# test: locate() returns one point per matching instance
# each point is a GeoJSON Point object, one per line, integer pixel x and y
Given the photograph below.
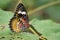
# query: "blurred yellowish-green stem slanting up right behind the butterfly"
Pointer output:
{"type": "Point", "coordinates": [43, 7]}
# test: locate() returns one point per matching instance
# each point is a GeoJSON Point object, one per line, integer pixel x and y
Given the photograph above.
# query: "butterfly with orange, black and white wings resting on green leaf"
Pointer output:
{"type": "Point", "coordinates": [20, 22]}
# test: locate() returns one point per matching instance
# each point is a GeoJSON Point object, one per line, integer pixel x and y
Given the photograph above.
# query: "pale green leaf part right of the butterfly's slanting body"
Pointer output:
{"type": "Point", "coordinates": [48, 28]}
